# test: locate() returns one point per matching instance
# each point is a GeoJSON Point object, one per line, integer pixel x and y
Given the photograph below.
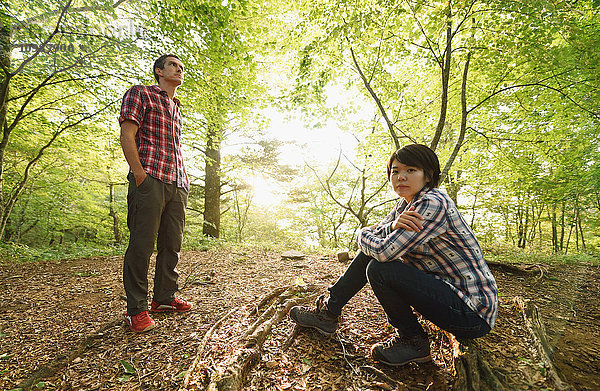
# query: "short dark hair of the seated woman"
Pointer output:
{"type": "Point", "coordinates": [420, 156]}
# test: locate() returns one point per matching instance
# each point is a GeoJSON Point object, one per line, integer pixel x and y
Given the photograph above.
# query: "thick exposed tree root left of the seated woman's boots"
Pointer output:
{"type": "Point", "coordinates": [249, 352]}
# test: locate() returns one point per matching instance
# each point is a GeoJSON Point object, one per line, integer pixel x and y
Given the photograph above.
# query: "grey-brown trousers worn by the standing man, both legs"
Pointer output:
{"type": "Point", "coordinates": [155, 210]}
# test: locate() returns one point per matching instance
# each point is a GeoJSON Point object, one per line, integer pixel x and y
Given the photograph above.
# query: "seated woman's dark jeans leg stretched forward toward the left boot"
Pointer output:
{"type": "Point", "coordinates": [348, 285]}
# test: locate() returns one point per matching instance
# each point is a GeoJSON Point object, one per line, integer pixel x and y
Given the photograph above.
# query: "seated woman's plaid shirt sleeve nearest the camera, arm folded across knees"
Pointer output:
{"type": "Point", "coordinates": [390, 245]}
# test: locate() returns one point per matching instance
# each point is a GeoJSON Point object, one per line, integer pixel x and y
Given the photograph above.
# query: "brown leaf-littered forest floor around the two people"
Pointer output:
{"type": "Point", "coordinates": [61, 327]}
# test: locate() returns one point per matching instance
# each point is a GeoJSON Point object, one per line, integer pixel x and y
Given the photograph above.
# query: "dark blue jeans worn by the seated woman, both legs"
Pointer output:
{"type": "Point", "coordinates": [398, 287]}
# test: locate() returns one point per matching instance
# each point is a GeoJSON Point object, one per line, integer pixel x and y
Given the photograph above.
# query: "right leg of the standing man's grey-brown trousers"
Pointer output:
{"type": "Point", "coordinates": [170, 237]}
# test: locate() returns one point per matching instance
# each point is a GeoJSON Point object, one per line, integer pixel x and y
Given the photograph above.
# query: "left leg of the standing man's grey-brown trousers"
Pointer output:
{"type": "Point", "coordinates": [144, 204]}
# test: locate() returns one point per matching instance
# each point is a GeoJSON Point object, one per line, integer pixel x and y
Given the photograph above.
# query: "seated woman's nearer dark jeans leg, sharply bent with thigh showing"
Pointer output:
{"type": "Point", "coordinates": [400, 286]}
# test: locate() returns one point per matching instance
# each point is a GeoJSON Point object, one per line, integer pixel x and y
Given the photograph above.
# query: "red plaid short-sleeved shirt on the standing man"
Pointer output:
{"type": "Point", "coordinates": [158, 138]}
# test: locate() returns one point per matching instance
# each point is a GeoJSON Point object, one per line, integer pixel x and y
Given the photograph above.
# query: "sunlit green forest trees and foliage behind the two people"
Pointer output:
{"type": "Point", "coordinates": [292, 109]}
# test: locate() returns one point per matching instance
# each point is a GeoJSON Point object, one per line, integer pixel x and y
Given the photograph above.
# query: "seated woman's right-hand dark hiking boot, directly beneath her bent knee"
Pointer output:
{"type": "Point", "coordinates": [402, 350]}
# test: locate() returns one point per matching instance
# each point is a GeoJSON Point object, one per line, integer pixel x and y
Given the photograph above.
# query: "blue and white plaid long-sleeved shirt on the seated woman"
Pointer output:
{"type": "Point", "coordinates": [446, 247]}
